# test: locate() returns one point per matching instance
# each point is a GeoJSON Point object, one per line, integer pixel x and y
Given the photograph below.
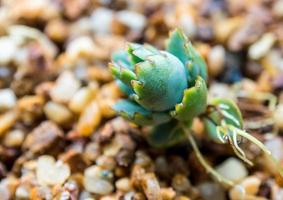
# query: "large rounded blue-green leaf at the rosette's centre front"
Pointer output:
{"type": "Point", "coordinates": [161, 82]}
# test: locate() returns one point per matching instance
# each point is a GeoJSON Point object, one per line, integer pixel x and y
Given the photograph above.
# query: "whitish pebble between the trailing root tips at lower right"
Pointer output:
{"type": "Point", "coordinates": [232, 169]}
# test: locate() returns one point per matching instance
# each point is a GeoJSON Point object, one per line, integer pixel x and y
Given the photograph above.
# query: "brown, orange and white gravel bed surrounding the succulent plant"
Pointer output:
{"type": "Point", "coordinates": [56, 94]}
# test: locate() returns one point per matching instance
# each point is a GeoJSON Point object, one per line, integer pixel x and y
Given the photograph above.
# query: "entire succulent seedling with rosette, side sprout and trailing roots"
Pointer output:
{"type": "Point", "coordinates": [167, 90]}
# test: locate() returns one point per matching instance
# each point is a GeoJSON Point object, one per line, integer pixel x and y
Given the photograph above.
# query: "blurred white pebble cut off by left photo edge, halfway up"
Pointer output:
{"type": "Point", "coordinates": [7, 99]}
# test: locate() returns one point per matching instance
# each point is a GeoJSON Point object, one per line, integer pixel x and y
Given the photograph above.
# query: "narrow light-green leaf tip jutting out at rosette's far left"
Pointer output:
{"type": "Point", "coordinates": [122, 73]}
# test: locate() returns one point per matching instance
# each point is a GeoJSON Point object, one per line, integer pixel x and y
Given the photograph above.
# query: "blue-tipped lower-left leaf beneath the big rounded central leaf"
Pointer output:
{"type": "Point", "coordinates": [137, 114]}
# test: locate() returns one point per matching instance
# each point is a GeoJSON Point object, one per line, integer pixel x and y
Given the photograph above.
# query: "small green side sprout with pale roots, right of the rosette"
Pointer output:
{"type": "Point", "coordinates": [224, 124]}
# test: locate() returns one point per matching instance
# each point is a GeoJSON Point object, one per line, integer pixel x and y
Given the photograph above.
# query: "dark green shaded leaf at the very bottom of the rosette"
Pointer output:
{"type": "Point", "coordinates": [166, 135]}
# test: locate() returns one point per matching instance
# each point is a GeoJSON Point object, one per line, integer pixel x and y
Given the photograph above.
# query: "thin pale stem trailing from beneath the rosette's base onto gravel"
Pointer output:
{"type": "Point", "coordinates": [203, 162]}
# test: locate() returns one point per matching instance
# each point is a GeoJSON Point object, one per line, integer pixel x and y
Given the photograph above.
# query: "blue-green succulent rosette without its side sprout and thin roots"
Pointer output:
{"type": "Point", "coordinates": [163, 88]}
